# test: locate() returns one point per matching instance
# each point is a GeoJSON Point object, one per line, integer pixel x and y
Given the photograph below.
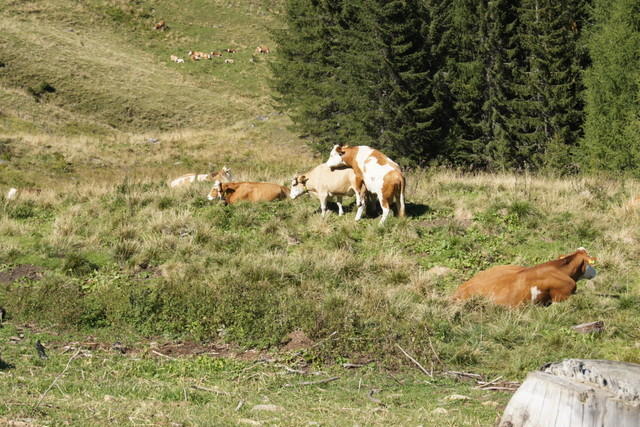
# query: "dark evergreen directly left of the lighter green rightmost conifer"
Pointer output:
{"type": "Point", "coordinates": [548, 97]}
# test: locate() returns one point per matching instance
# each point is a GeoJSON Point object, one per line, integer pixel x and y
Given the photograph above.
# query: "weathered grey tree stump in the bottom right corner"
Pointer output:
{"type": "Point", "coordinates": [577, 393]}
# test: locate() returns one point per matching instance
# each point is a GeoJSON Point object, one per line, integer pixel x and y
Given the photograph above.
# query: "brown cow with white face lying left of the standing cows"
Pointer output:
{"type": "Point", "coordinates": [234, 192]}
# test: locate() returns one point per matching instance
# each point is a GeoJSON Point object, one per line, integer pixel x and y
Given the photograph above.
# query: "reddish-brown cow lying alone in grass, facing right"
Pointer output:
{"type": "Point", "coordinates": [512, 285]}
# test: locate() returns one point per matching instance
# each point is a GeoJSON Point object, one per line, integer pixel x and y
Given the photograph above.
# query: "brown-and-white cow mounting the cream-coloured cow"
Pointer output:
{"type": "Point", "coordinates": [380, 175]}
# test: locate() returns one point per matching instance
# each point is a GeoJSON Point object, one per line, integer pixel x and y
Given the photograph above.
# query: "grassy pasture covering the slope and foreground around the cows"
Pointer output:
{"type": "Point", "coordinates": [97, 244]}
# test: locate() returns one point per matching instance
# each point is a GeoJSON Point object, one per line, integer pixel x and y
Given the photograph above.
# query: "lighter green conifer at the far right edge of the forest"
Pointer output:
{"type": "Point", "coordinates": [613, 87]}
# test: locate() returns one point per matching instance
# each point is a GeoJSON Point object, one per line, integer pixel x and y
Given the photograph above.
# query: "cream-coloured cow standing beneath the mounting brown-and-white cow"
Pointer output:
{"type": "Point", "coordinates": [324, 183]}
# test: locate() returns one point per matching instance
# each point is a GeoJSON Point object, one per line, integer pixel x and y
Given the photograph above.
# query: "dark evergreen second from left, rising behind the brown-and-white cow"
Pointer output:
{"type": "Point", "coordinates": [402, 78]}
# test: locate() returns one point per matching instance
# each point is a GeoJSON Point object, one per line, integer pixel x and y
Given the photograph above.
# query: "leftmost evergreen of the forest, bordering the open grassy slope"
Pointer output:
{"type": "Point", "coordinates": [306, 74]}
